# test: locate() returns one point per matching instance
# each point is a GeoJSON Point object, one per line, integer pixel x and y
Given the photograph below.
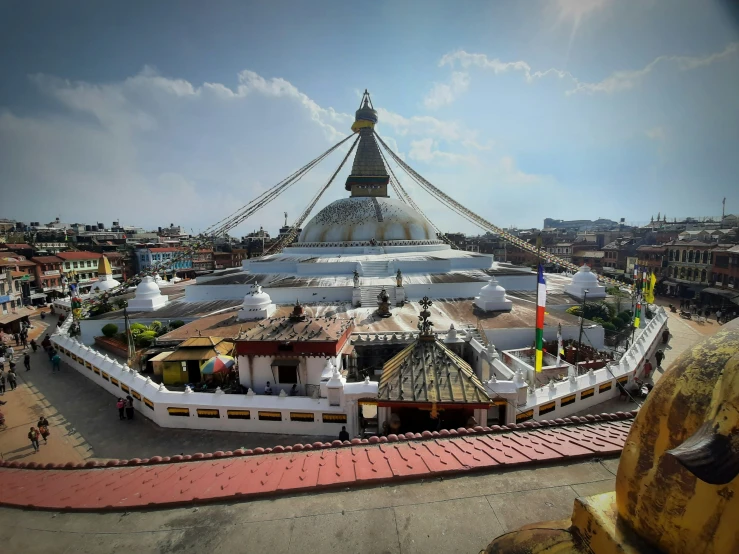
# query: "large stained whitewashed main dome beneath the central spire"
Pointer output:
{"type": "Point", "coordinates": [367, 218]}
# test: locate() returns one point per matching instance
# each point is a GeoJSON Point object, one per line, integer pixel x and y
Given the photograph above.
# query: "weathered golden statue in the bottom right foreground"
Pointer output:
{"type": "Point", "coordinates": [677, 487]}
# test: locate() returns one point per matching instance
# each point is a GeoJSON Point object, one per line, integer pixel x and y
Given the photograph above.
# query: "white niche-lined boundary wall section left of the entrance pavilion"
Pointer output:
{"type": "Point", "coordinates": [214, 411]}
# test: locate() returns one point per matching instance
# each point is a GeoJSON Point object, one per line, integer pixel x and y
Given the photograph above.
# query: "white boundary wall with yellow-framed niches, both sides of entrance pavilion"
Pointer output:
{"type": "Point", "coordinates": [227, 412]}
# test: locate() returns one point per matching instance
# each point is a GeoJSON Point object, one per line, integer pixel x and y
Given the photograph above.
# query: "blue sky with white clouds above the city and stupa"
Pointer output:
{"type": "Point", "coordinates": [181, 112]}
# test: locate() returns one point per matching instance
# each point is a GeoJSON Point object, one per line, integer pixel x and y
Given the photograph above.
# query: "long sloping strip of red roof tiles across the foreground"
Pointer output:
{"type": "Point", "coordinates": [244, 474]}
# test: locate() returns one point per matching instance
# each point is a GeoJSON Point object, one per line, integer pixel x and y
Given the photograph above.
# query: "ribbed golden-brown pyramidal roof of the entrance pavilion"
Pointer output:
{"type": "Point", "coordinates": [427, 371]}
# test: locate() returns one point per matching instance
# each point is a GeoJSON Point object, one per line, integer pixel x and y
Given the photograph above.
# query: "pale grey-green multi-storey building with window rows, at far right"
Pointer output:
{"type": "Point", "coordinates": [688, 266]}
